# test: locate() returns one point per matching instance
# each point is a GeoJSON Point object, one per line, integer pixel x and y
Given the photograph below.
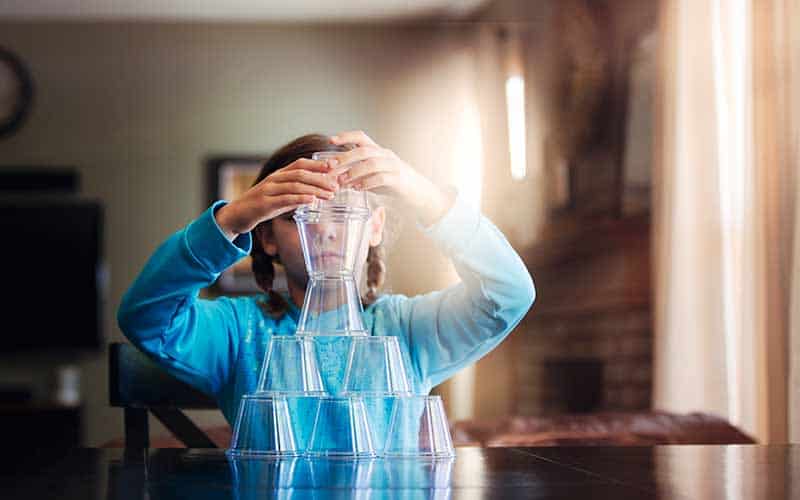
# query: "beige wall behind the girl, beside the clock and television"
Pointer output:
{"type": "Point", "coordinates": [137, 107]}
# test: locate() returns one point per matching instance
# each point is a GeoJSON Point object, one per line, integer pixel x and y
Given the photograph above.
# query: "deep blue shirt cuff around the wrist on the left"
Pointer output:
{"type": "Point", "coordinates": [209, 245]}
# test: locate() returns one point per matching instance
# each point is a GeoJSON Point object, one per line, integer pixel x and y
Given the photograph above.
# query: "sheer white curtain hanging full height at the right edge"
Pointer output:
{"type": "Point", "coordinates": [724, 202]}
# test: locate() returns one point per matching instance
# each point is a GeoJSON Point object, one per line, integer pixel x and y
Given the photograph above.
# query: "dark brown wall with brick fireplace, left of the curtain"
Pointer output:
{"type": "Point", "coordinates": [589, 250]}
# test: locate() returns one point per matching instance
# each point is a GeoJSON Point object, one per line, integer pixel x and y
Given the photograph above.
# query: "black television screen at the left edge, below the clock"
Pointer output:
{"type": "Point", "coordinates": [52, 274]}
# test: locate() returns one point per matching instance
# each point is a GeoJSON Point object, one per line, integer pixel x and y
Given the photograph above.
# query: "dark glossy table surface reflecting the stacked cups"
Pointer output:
{"type": "Point", "coordinates": [692, 472]}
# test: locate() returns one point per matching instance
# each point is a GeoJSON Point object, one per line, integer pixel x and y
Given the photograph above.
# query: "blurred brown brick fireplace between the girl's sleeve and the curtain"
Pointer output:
{"type": "Point", "coordinates": [587, 343]}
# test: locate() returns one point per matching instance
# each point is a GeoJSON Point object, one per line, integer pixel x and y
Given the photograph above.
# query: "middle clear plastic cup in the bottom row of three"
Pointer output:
{"type": "Point", "coordinates": [341, 429]}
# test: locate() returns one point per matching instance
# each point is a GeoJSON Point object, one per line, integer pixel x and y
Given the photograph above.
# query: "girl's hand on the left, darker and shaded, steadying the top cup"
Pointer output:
{"type": "Point", "coordinates": [282, 191]}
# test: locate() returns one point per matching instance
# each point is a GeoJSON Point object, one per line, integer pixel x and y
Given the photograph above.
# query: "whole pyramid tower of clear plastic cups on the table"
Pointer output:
{"type": "Point", "coordinates": [312, 403]}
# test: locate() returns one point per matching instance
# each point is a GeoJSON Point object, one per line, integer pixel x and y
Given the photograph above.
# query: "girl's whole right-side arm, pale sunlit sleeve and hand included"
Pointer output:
{"type": "Point", "coordinates": [452, 328]}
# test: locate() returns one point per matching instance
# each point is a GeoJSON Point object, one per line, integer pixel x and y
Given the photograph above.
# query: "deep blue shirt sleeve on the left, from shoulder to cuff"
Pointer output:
{"type": "Point", "coordinates": [194, 339]}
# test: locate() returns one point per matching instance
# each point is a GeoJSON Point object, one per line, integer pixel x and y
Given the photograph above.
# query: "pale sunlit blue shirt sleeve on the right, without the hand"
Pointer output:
{"type": "Point", "coordinates": [448, 329]}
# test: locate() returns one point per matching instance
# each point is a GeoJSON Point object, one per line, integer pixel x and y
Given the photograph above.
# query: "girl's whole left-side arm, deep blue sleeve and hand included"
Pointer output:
{"type": "Point", "coordinates": [197, 340]}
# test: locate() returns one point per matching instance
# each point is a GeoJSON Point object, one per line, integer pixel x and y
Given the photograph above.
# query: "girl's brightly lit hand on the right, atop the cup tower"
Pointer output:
{"type": "Point", "coordinates": [373, 168]}
